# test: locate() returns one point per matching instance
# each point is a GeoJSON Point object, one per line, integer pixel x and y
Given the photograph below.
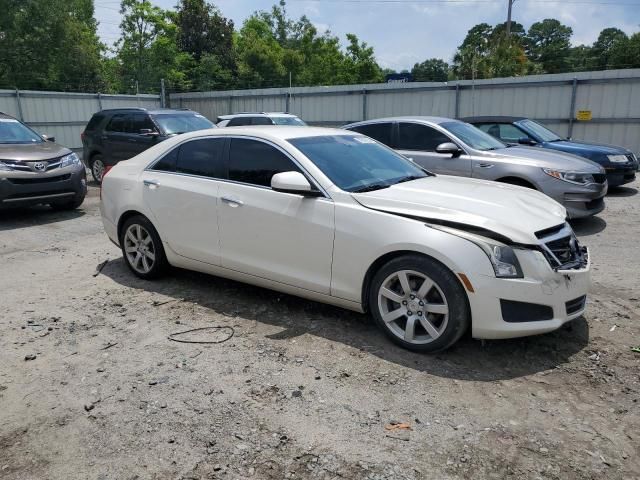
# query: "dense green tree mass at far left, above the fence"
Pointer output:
{"type": "Point", "coordinates": [38, 39]}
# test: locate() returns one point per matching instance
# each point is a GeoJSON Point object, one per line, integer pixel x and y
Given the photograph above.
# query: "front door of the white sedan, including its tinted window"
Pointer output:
{"type": "Point", "coordinates": [279, 236]}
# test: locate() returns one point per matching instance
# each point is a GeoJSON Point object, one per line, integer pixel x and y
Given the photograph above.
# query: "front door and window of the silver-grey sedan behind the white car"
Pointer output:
{"type": "Point", "coordinates": [419, 142]}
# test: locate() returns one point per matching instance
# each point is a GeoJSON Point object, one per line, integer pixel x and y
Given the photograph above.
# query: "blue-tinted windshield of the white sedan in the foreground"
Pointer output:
{"type": "Point", "coordinates": [356, 163]}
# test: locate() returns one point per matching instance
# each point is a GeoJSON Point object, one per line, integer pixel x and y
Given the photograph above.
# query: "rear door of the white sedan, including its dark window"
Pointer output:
{"type": "Point", "coordinates": [181, 190]}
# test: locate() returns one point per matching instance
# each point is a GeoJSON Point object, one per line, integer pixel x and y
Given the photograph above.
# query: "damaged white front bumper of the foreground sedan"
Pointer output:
{"type": "Point", "coordinates": [539, 303]}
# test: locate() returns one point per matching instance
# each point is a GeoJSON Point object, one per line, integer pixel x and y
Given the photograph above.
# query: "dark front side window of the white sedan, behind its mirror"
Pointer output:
{"type": "Point", "coordinates": [254, 162]}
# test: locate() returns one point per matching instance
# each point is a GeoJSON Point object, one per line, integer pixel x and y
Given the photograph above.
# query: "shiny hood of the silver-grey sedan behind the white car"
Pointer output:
{"type": "Point", "coordinates": [545, 158]}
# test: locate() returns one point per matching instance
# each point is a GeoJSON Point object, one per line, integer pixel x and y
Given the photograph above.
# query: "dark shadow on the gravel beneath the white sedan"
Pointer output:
{"type": "Point", "coordinates": [467, 360]}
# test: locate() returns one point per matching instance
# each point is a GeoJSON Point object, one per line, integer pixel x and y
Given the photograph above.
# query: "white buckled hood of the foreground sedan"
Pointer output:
{"type": "Point", "coordinates": [511, 211]}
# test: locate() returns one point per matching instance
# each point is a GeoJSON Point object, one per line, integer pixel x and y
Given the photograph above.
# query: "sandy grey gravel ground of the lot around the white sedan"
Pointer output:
{"type": "Point", "coordinates": [92, 388]}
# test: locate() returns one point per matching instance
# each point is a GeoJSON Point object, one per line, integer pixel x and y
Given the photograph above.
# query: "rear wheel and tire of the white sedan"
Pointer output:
{"type": "Point", "coordinates": [142, 248]}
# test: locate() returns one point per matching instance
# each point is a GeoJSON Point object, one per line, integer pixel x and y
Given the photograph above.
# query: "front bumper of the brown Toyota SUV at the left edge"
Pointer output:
{"type": "Point", "coordinates": [22, 190]}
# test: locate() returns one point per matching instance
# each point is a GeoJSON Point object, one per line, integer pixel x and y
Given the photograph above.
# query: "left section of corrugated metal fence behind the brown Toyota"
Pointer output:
{"type": "Point", "coordinates": [64, 115]}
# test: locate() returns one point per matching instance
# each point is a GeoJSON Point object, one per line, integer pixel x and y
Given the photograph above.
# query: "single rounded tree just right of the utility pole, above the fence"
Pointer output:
{"type": "Point", "coordinates": [549, 43]}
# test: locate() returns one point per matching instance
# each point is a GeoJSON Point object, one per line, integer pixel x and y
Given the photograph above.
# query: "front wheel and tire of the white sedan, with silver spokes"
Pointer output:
{"type": "Point", "coordinates": [419, 304]}
